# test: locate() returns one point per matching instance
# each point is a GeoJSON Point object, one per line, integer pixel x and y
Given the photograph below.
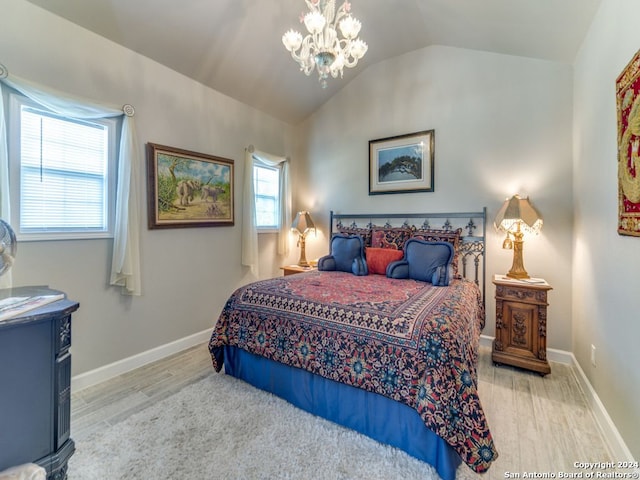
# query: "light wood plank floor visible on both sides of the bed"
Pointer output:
{"type": "Point", "coordinates": [539, 424]}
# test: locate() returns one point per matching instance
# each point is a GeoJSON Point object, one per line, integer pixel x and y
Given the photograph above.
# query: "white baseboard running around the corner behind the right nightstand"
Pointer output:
{"type": "Point", "coordinates": [619, 449]}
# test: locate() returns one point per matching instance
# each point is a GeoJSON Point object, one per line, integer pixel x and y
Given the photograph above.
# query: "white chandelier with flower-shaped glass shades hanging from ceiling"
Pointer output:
{"type": "Point", "coordinates": [323, 48]}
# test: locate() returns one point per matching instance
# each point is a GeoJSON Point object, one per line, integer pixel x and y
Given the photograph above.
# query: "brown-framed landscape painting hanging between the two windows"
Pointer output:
{"type": "Point", "coordinates": [188, 189]}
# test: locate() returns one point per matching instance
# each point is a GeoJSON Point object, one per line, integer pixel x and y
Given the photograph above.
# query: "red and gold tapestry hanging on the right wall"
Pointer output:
{"type": "Point", "coordinates": [628, 106]}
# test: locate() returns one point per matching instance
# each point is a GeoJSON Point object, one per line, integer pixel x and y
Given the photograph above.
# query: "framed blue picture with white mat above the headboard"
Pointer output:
{"type": "Point", "coordinates": [402, 164]}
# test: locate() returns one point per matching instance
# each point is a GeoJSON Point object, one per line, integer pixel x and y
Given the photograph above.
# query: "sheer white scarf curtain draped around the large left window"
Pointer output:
{"type": "Point", "coordinates": [125, 265]}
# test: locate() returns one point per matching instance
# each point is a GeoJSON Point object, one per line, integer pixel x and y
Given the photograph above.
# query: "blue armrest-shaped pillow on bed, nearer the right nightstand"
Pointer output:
{"type": "Point", "coordinates": [424, 261]}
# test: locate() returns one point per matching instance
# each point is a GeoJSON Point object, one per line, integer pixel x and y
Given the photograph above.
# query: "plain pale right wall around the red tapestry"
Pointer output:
{"type": "Point", "coordinates": [606, 266]}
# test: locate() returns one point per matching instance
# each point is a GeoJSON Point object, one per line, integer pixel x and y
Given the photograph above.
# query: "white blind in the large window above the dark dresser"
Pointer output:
{"type": "Point", "coordinates": [63, 174]}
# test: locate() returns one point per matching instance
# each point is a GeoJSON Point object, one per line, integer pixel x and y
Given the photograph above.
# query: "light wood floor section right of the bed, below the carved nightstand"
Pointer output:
{"type": "Point", "coordinates": [539, 424]}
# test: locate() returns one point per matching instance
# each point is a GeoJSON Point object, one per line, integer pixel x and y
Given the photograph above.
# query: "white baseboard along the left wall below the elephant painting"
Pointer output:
{"type": "Point", "coordinates": [125, 365]}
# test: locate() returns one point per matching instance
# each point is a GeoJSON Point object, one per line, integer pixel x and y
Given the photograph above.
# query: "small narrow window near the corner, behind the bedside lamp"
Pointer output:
{"type": "Point", "coordinates": [266, 186]}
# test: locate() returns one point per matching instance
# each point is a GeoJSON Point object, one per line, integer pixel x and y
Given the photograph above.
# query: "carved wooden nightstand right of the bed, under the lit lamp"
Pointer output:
{"type": "Point", "coordinates": [521, 324]}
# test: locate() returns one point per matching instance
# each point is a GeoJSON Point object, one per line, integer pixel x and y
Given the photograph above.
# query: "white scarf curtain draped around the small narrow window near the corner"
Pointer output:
{"type": "Point", "coordinates": [250, 256]}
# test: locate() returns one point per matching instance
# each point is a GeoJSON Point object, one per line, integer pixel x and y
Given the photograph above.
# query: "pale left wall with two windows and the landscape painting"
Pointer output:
{"type": "Point", "coordinates": [187, 273]}
